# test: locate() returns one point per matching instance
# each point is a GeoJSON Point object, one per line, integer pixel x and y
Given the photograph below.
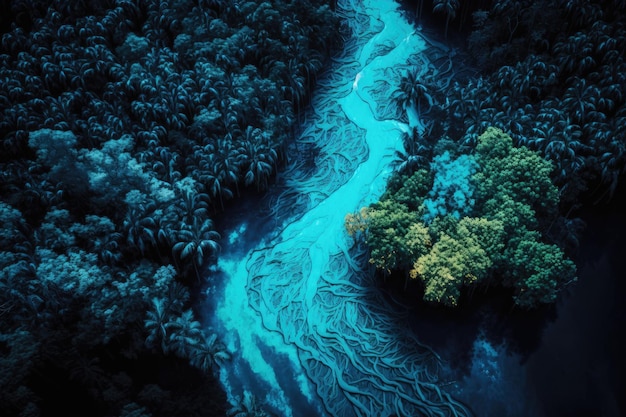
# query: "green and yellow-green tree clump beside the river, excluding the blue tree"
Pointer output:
{"type": "Point", "coordinates": [499, 242]}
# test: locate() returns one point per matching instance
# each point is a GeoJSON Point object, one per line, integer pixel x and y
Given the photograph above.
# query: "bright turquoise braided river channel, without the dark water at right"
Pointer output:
{"type": "Point", "coordinates": [309, 332]}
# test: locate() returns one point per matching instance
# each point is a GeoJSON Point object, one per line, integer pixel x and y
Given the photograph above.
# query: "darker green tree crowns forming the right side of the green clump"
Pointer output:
{"type": "Point", "coordinates": [514, 187]}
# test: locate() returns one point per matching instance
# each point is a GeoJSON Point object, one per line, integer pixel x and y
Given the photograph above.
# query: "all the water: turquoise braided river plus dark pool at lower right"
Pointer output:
{"type": "Point", "coordinates": [310, 330]}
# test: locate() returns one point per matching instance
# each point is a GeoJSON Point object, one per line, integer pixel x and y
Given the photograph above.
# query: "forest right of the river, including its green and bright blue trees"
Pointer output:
{"type": "Point", "coordinates": [487, 194]}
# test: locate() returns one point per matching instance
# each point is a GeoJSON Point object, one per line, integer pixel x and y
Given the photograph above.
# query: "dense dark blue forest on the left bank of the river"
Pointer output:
{"type": "Point", "coordinates": [126, 125]}
